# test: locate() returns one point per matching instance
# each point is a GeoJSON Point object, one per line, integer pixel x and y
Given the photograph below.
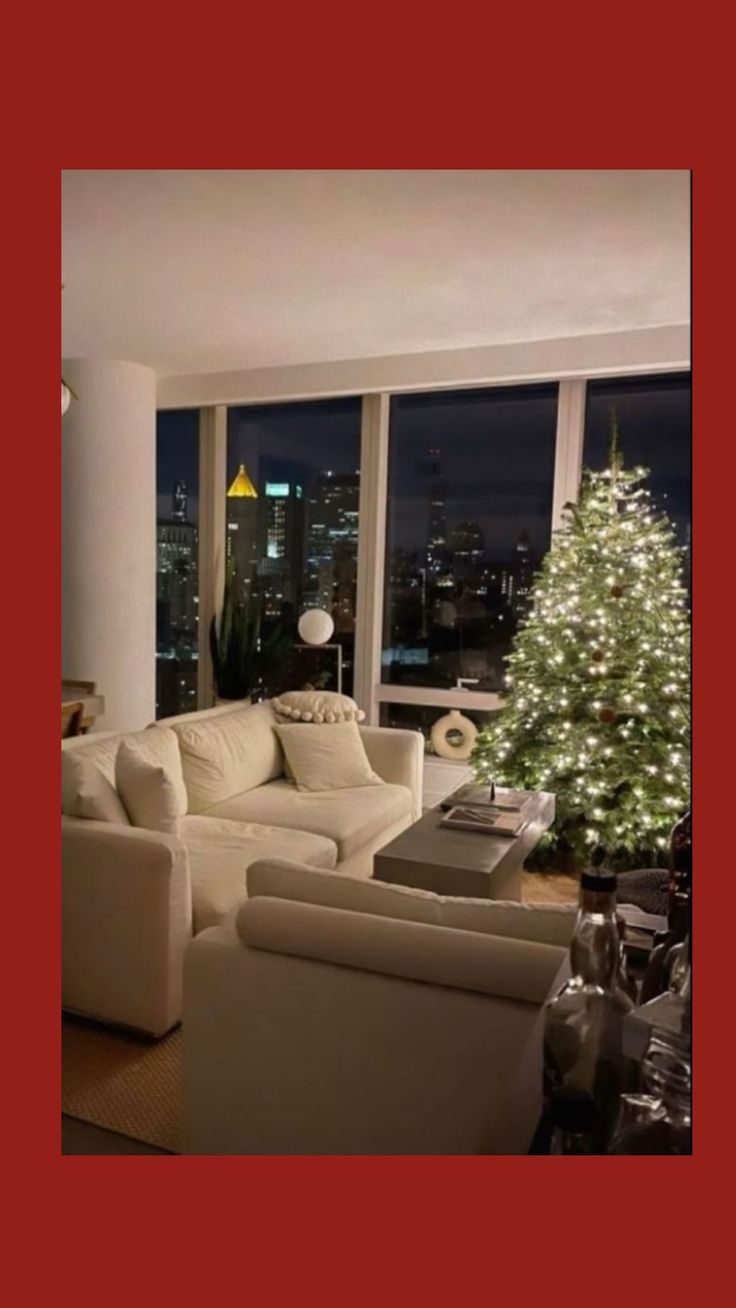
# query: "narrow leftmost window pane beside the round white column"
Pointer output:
{"type": "Point", "coordinates": [177, 572]}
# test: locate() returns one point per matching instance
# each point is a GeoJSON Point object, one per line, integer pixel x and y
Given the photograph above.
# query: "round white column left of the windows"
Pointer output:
{"type": "Point", "coordinates": [109, 537]}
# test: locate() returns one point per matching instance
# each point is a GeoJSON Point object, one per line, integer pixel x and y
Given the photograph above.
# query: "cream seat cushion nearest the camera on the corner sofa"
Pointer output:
{"type": "Point", "coordinates": [222, 851]}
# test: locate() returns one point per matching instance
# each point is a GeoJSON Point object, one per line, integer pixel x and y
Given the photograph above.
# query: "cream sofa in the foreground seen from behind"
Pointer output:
{"type": "Point", "coordinates": [330, 1016]}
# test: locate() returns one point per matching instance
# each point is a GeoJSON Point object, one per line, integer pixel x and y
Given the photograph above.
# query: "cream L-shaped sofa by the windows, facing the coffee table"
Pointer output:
{"type": "Point", "coordinates": [134, 898]}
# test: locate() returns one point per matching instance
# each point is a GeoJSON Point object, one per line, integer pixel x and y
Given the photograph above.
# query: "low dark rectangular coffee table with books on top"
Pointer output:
{"type": "Point", "coordinates": [465, 863]}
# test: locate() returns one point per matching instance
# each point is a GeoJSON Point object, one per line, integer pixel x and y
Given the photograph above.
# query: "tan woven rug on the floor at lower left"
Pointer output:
{"type": "Point", "coordinates": [124, 1082]}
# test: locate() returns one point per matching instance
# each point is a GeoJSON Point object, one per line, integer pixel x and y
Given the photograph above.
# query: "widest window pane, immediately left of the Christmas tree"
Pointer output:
{"type": "Point", "coordinates": [470, 511]}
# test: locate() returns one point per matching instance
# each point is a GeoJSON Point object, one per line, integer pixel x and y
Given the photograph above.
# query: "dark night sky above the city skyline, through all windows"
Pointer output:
{"type": "Point", "coordinates": [497, 452]}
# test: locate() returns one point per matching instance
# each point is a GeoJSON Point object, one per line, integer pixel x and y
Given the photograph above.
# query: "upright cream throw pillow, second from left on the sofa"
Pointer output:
{"type": "Point", "coordinates": [151, 791]}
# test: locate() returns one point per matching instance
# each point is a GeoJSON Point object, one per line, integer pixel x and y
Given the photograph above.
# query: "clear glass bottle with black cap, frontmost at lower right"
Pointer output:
{"type": "Point", "coordinates": [585, 1071]}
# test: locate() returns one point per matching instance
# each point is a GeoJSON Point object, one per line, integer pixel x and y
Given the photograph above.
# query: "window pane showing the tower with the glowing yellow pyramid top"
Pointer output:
{"type": "Point", "coordinates": [292, 528]}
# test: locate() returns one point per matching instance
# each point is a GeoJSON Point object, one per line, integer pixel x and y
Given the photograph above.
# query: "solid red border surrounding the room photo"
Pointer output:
{"type": "Point", "coordinates": [351, 1230]}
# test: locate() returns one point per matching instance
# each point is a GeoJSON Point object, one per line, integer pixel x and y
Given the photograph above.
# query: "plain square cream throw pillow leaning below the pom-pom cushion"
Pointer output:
{"type": "Point", "coordinates": [327, 761]}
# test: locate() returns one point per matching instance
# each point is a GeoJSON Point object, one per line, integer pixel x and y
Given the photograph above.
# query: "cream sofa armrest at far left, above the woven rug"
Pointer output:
{"type": "Point", "coordinates": [126, 921]}
